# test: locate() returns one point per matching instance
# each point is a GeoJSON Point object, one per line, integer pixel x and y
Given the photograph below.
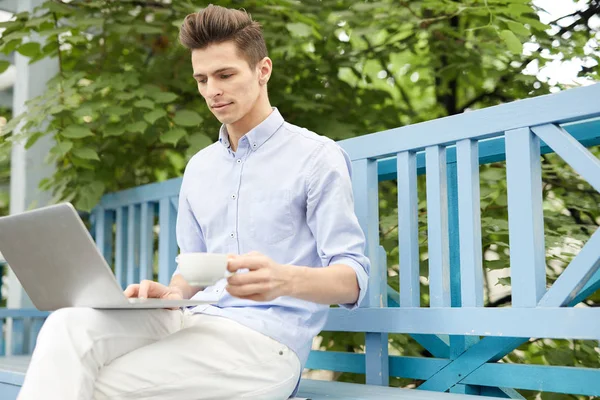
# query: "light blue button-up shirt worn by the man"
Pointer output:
{"type": "Point", "coordinates": [286, 192]}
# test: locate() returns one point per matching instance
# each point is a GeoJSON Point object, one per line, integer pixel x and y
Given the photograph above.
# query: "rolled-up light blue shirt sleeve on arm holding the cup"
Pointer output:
{"type": "Point", "coordinates": [331, 216]}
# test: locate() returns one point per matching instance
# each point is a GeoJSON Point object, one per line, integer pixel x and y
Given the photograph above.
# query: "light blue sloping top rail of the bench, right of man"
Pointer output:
{"type": "Point", "coordinates": [567, 106]}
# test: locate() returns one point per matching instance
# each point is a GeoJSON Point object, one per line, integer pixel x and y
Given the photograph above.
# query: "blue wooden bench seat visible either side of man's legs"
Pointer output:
{"type": "Point", "coordinates": [12, 372]}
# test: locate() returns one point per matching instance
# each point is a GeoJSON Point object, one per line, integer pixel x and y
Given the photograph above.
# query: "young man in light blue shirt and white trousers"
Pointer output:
{"type": "Point", "coordinates": [276, 196]}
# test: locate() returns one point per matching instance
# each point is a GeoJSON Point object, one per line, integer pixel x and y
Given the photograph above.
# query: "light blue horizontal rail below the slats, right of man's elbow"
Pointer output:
{"type": "Point", "coordinates": [576, 323]}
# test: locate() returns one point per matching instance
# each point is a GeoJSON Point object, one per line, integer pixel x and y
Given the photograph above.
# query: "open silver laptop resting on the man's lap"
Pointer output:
{"type": "Point", "coordinates": [58, 264]}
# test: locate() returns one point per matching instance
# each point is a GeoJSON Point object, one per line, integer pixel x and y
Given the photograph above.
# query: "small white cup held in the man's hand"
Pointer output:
{"type": "Point", "coordinates": [202, 269]}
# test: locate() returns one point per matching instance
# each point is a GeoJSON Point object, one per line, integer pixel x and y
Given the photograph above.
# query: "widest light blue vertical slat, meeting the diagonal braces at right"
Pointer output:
{"type": "Point", "coordinates": [525, 218]}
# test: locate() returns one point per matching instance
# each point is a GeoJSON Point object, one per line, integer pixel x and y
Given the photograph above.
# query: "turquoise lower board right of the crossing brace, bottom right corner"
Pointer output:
{"type": "Point", "coordinates": [582, 381]}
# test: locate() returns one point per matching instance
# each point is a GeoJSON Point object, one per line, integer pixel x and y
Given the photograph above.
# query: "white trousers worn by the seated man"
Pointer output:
{"type": "Point", "coordinates": [84, 354]}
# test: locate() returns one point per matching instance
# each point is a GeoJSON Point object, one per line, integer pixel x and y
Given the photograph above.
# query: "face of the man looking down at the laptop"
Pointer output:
{"type": "Point", "coordinates": [226, 81]}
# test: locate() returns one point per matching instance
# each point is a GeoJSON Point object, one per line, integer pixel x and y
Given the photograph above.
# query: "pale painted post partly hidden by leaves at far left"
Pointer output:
{"type": "Point", "coordinates": [27, 166]}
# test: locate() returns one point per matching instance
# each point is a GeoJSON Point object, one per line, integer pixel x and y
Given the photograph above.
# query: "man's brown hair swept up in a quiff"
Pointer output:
{"type": "Point", "coordinates": [215, 24]}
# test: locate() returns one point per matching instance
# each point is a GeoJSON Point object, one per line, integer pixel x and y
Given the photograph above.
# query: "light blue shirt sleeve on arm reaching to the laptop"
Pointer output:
{"type": "Point", "coordinates": [190, 238]}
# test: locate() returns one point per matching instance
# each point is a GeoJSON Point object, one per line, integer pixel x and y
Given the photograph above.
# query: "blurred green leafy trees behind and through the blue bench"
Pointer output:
{"type": "Point", "coordinates": [125, 110]}
